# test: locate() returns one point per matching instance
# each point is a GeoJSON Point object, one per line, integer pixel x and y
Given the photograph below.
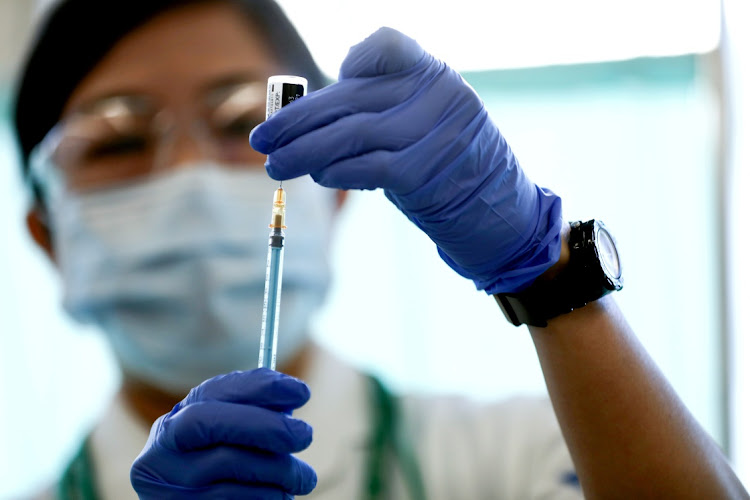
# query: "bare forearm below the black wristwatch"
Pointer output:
{"type": "Point", "coordinates": [628, 433]}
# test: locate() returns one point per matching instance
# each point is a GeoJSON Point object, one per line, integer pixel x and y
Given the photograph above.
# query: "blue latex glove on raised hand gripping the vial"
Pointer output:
{"type": "Point", "coordinates": [401, 120]}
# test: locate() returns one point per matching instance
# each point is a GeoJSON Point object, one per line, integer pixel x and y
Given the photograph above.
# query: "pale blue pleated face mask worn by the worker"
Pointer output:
{"type": "Point", "coordinates": [173, 269]}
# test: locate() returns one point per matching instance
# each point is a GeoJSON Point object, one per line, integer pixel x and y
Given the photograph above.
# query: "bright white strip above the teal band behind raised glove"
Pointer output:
{"type": "Point", "coordinates": [478, 34]}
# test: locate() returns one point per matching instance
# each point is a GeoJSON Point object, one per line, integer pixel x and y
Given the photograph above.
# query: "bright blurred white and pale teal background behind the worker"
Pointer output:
{"type": "Point", "coordinates": [636, 113]}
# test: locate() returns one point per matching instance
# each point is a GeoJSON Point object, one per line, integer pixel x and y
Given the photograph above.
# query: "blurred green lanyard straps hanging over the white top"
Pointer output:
{"type": "Point", "coordinates": [77, 482]}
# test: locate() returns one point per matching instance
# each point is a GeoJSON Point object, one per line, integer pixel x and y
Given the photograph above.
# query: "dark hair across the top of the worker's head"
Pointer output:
{"type": "Point", "coordinates": [65, 50]}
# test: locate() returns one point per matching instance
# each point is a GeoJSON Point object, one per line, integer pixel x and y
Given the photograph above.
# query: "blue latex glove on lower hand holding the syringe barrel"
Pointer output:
{"type": "Point", "coordinates": [231, 437]}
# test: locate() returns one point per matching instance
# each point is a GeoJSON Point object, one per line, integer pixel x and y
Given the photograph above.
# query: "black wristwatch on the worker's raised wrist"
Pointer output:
{"type": "Point", "coordinates": [592, 272]}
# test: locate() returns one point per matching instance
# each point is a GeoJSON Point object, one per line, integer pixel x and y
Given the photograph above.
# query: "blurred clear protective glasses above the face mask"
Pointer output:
{"type": "Point", "coordinates": [126, 138]}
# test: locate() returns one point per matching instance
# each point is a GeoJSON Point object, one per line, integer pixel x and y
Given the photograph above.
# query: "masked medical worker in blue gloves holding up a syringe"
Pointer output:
{"type": "Point", "coordinates": [133, 120]}
